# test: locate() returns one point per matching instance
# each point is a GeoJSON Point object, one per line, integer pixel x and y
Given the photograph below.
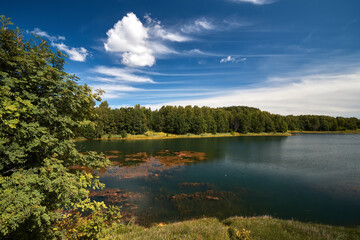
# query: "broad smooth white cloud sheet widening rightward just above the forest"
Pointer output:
{"type": "Point", "coordinates": [334, 95]}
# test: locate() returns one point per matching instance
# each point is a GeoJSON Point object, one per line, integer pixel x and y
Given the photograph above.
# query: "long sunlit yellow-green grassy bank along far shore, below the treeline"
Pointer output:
{"type": "Point", "coordinates": [162, 135]}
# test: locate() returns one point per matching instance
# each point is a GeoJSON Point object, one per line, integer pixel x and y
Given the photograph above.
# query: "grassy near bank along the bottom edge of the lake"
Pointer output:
{"type": "Point", "coordinates": [237, 228]}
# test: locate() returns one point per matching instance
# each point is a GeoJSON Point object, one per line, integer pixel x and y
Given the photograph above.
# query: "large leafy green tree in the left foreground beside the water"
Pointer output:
{"type": "Point", "coordinates": [41, 109]}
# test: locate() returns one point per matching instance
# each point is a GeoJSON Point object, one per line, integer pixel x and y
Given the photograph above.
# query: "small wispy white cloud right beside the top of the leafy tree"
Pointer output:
{"type": "Point", "coordinates": [75, 54]}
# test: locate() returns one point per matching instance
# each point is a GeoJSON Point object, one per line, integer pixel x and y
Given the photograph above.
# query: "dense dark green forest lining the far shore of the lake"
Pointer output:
{"type": "Point", "coordinates": [197, 120]}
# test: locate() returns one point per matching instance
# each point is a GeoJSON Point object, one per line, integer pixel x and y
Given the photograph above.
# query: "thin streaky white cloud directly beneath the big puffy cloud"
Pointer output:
{"type": "Point", "coordinates": [119, 74]}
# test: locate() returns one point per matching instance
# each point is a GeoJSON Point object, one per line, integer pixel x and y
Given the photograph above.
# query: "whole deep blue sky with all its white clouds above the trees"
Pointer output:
{"type": "Point", "coordinates": [282, 56]}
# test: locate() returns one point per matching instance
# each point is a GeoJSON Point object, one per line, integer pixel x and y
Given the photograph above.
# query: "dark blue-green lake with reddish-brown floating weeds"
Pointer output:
{"type": "Point", "coordinates": [307, 177]}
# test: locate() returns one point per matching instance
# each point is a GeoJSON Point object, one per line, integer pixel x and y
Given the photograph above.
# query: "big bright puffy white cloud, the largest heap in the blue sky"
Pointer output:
{"type": "Point", "coordinates": [138, 44]}
